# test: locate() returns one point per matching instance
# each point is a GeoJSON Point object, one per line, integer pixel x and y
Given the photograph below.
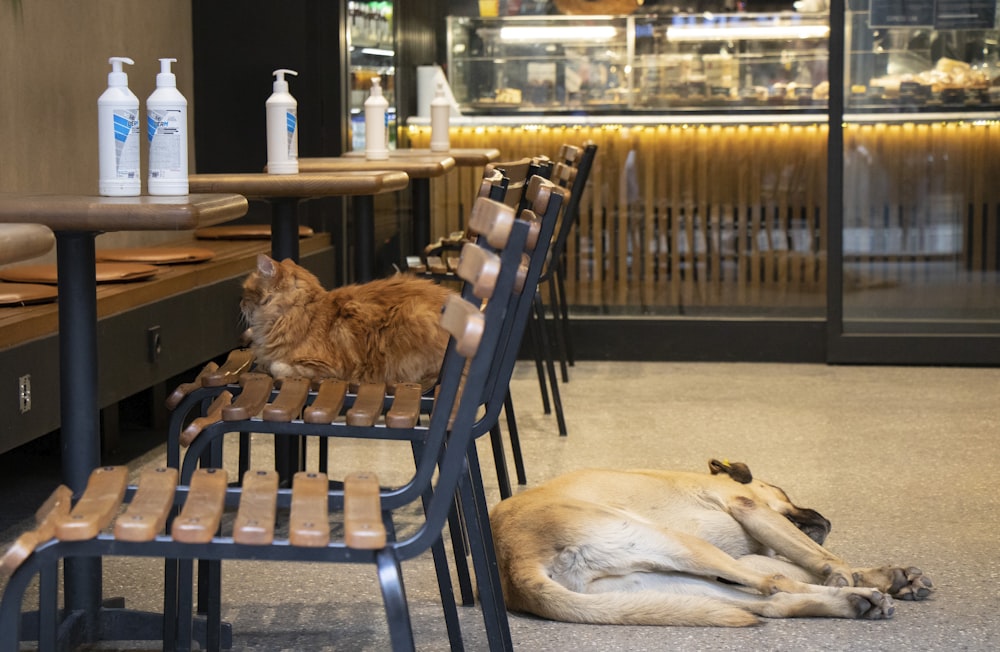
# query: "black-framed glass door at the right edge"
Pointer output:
{"type": "Point", "coordinates": [916, 275]}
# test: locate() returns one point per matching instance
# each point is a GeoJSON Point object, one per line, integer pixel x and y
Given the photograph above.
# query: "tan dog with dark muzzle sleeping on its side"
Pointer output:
{"type": "Point", "coordinates": [676, 548]}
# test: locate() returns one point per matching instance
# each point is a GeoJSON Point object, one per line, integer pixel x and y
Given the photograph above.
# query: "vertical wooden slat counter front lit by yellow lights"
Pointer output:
{"type": "Point", "coordinates": [735, 215]}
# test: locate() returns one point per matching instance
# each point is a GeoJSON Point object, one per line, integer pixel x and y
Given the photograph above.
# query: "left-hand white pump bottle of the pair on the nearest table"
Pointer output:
{"type": "Point", "coordinates": [118, 135]}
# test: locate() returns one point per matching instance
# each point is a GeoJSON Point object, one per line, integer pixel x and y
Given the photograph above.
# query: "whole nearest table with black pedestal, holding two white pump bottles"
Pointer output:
{"type": "Point", "coordinates": [76, 221]}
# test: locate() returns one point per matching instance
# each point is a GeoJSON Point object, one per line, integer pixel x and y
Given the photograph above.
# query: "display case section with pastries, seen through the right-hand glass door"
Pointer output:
{"type": "Point", "coordinates": [937, 56]}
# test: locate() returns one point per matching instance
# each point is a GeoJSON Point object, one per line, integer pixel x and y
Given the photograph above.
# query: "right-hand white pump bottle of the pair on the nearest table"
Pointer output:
{"type": "Point", "coordinates": [166, 126]}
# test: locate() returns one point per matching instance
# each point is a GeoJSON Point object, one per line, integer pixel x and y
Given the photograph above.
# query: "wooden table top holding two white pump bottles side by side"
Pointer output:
{"type": "Point", "coordinates": [143, 213]}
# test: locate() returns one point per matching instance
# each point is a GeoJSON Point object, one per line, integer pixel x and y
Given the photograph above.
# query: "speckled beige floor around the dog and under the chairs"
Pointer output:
{"type": "Point", "coordinates": [903, 461]}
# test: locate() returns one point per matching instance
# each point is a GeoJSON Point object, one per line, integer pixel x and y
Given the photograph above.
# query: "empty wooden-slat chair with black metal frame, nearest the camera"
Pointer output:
{"type": "Point", "coordinates": [366, 509]}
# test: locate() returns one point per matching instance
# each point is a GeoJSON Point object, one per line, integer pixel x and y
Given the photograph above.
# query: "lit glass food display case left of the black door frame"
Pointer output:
{"type": "Point", "coordinates": [615, 64]}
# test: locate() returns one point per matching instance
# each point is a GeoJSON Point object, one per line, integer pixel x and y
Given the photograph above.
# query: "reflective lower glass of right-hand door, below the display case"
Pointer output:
{"type": "Point", "coordinates": [921, 238]}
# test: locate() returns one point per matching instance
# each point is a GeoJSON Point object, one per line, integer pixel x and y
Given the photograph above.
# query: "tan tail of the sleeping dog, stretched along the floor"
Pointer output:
{"type": "Point", "coordinates": [549, 599]}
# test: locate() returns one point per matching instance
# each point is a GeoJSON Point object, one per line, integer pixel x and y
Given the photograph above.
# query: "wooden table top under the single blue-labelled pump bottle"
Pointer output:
{"type": "Point", "coordinates": [305, 184]}
